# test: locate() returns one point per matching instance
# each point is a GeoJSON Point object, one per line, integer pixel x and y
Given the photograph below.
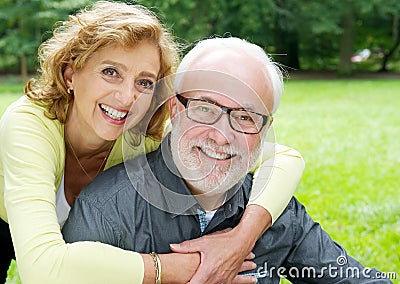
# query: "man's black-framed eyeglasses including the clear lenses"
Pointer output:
{"type": "Point", "coordinates": [240, 119]}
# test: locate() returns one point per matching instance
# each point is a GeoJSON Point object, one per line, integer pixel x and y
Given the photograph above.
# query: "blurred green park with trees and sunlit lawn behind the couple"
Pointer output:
{"type": "Point", "coordinates": [340, 107]}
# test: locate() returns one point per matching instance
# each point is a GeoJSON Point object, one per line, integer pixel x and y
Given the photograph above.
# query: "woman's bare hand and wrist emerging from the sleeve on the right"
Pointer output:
{"type": "Point", "coordinates": [223, 255]}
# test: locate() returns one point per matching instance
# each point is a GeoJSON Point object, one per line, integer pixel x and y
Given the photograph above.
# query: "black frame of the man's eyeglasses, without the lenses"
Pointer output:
{"type": "Point", "coordinates": [186, 101]}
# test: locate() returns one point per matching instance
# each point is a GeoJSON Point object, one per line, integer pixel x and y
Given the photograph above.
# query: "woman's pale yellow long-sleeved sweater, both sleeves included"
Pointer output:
{"type": "Point", "coordinates": [32, 158]}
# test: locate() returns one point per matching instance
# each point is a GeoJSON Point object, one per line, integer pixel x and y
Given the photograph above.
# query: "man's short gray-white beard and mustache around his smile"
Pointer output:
{"type": "Point", "coordinates": [215, 178]}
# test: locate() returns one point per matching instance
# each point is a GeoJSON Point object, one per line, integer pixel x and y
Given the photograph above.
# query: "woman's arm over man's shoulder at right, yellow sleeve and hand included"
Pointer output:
{"type": "Point", "coordinates": [275, 181]}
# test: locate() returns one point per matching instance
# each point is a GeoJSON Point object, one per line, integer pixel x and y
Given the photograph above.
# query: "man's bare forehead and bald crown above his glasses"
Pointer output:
{"type": "Point", "coordinates": [230, 71]}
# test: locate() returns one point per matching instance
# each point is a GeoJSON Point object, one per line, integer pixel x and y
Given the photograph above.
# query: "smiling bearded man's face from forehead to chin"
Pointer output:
{"type": "Point", "coordinates": [213, 158]}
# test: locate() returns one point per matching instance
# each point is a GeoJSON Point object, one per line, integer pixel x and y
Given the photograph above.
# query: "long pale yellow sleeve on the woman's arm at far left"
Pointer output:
{"type": "Point", "coordinates": [29, 156]}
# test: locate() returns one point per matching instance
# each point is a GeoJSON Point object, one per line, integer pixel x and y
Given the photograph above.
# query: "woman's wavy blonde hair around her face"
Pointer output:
{"type": "Point", "coordinates": [74, 41]}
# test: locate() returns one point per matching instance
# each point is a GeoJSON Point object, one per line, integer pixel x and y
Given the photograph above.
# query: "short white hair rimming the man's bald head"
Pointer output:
{"type": "Point", "coordinates": [272, 69]}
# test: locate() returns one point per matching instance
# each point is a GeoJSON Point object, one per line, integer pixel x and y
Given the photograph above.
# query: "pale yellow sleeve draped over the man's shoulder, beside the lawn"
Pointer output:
{"type": "Point", "coordinates": [276, 177]}
